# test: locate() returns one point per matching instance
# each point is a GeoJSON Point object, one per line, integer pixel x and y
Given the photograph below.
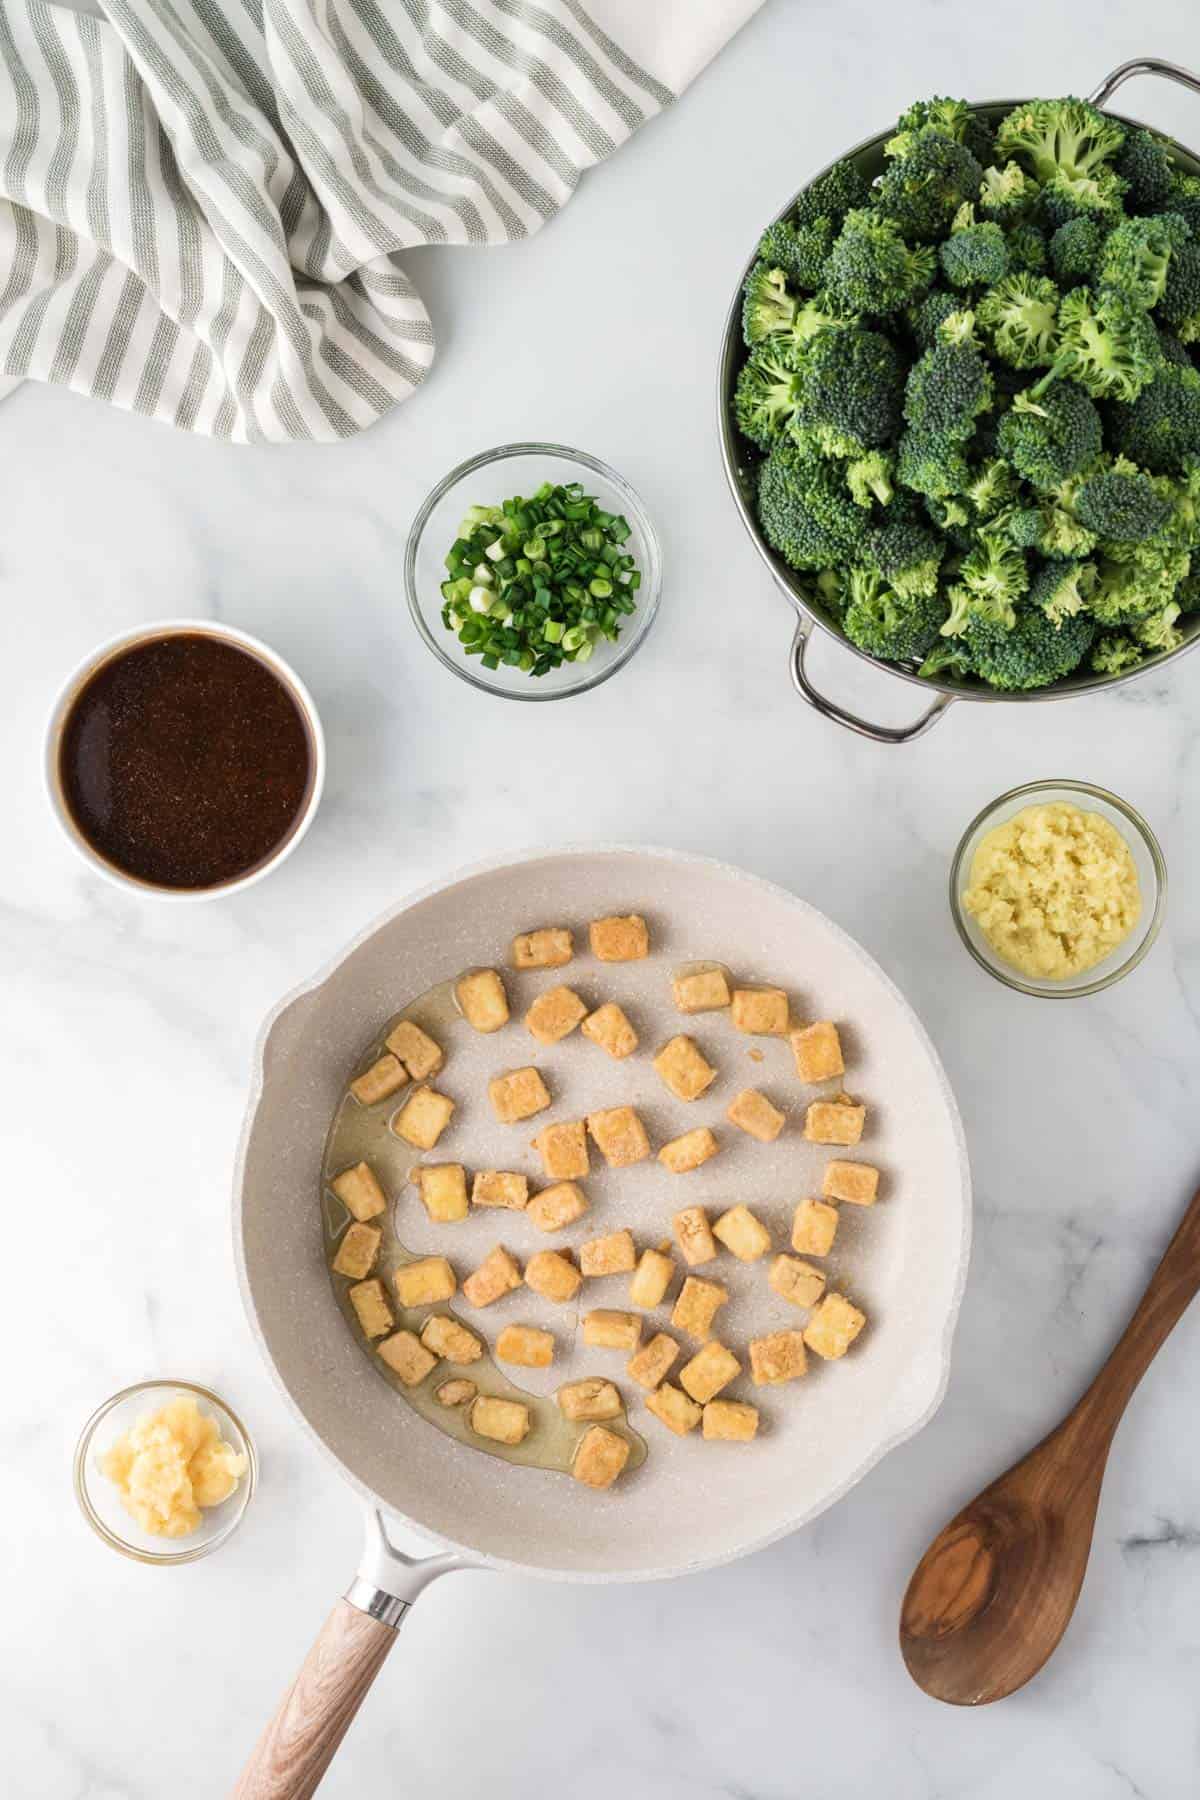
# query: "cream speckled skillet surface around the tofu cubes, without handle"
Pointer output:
{"type": "Point", "coordinates": [694, 1504]}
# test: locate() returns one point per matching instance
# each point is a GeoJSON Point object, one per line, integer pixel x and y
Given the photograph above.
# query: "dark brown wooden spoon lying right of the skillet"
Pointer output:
{"type": "Point", "coordinates": [996, 1590]}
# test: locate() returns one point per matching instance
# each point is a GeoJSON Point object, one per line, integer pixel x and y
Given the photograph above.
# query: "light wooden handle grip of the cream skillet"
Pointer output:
{"type": "Point", "coordinates": [301, 1741]}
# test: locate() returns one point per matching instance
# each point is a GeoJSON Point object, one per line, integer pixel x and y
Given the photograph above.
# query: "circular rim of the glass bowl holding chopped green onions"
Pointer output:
{"type": "Point", "coordinates": [652, 577]}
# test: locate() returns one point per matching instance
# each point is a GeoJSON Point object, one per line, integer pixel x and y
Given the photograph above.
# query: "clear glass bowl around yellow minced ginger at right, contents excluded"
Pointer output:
{"type": "Point", "coordinates": [1147, 861]}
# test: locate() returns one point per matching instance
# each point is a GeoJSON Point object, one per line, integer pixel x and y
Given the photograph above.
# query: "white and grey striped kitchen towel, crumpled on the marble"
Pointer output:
{"type": "Point", "coordinates": [204, 204]}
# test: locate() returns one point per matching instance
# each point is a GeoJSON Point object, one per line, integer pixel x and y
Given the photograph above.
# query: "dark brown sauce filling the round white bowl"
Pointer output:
{"type": "Point", "coordinates": [186, 762]}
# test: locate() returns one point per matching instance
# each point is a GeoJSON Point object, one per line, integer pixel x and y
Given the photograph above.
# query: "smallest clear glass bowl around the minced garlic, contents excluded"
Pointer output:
{"type": "Point", "coordinates": [100, 1500]}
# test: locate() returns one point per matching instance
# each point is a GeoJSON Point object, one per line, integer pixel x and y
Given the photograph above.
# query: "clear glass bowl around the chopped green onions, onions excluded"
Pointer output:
{"type": "Point", "coordinates": [488, 480]}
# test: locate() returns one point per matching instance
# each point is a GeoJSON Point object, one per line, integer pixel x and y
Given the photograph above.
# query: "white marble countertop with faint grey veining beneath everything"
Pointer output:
{"type": "Point", "coordinates": [129, 1030]}
